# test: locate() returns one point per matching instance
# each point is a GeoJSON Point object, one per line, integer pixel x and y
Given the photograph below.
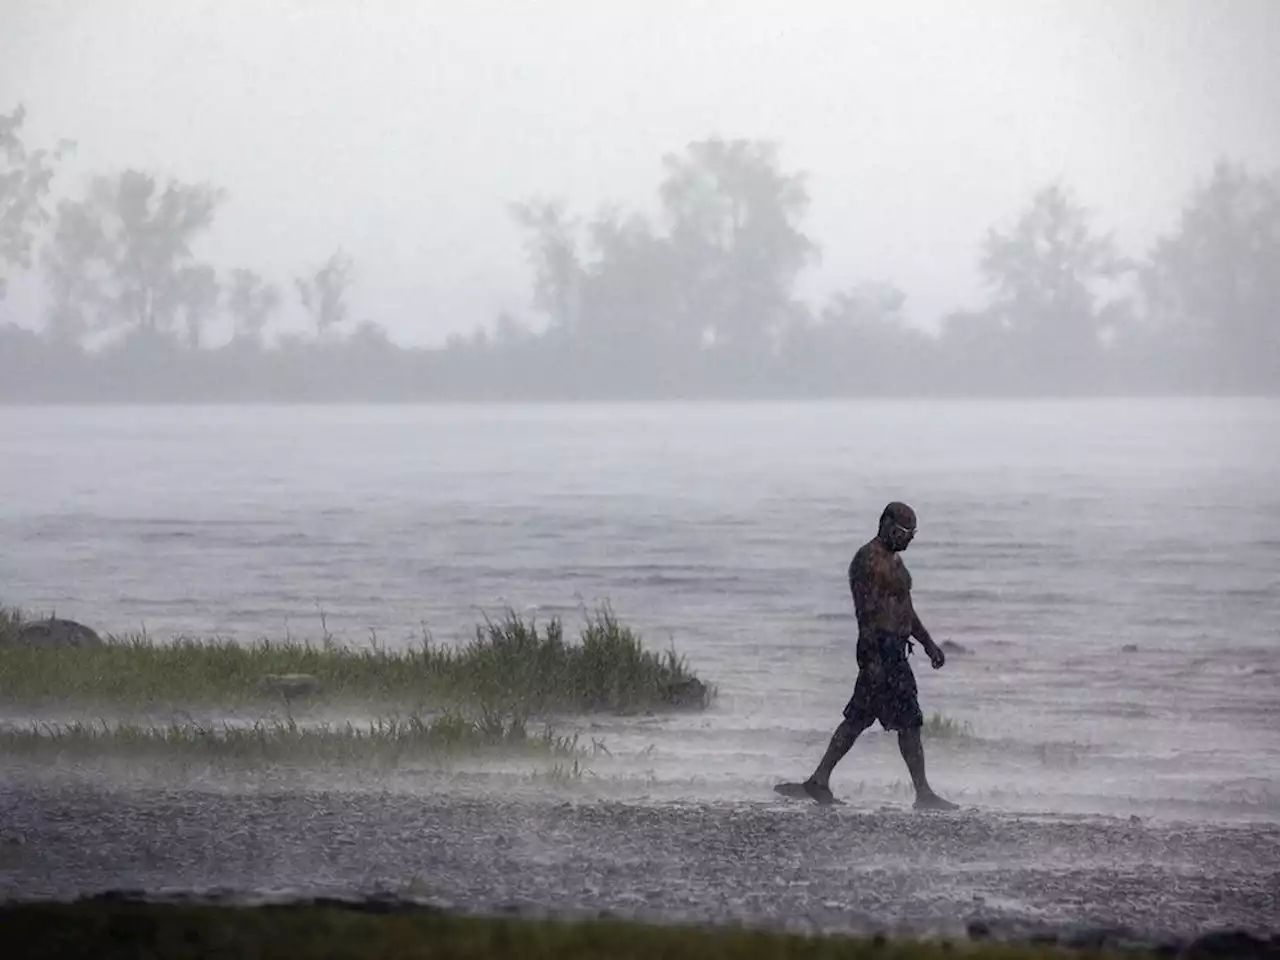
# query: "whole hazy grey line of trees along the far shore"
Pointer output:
{"type": "Point", "coordinates": [698, 301]}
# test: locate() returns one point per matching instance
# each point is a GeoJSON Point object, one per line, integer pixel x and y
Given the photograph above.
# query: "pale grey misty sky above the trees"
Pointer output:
{"type": "Point", "coordinates": [400, 131]}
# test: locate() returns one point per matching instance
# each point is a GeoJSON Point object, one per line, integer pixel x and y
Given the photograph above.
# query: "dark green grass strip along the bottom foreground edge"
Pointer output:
{"type": "Point", "coordinates": [132, 930]}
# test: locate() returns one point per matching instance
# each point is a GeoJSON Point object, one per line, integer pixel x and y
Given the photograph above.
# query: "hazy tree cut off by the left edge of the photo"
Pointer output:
{"type": "Point", "coordinates": [25, 182]}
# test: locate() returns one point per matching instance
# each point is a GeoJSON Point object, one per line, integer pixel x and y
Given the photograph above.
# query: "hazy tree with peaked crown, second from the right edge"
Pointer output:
{"type": "Point", "coordinates": [1048, 276]}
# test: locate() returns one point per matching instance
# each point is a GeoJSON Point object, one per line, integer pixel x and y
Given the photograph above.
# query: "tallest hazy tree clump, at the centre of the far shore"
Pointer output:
{"type": "Point", "coordinates": [719, 266]}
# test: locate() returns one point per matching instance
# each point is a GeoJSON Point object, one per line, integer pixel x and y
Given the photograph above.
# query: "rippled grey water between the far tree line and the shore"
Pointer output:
{"type": "Point", "coordinates": [1053, 534]}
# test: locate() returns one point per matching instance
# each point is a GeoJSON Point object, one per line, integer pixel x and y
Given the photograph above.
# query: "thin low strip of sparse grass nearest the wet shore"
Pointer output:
{"type": "Point", "coordinates": [382, 742]}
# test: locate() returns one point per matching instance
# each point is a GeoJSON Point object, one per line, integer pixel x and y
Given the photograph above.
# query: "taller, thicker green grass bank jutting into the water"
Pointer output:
{"type": "Point", "coordinates": [509, 664]}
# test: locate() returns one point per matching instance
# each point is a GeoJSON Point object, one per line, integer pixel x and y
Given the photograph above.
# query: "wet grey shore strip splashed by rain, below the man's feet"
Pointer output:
{"type": "Point", "coordinates": [772, 863]}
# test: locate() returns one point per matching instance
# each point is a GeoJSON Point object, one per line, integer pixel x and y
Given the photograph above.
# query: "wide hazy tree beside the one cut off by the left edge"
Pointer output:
{"type": "Point", "coordinates": [122, 258]}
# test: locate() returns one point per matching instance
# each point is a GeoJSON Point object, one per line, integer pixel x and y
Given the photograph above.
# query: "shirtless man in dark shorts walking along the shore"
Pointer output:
{"type": "Point", "coordinates": [885, 689]}
